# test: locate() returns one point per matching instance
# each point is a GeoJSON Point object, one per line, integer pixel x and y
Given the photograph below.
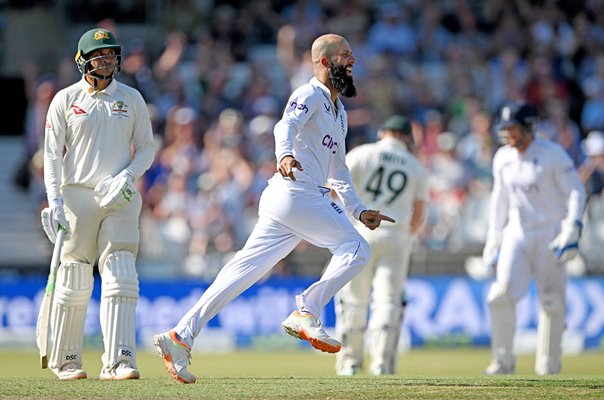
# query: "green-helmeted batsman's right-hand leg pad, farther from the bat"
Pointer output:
{"type": "Point", "coordinates": [119, 294]}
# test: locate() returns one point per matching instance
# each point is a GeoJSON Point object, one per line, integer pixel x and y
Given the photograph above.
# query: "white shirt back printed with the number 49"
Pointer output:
{"type": "Point", "coordinates": [387, 177]}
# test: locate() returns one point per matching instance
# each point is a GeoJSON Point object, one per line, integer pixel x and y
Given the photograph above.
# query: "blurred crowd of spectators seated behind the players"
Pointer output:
{"type": "Point", "coordinates": [217, 80]}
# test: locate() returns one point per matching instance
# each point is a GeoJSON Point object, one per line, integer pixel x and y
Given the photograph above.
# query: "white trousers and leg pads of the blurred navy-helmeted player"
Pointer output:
{"type": "Point", "coordinates": [524, 256]}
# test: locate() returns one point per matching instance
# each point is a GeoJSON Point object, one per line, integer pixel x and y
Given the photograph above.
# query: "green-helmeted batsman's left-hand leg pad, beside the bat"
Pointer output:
{"type": "Point", "coordinates": [72, 293]}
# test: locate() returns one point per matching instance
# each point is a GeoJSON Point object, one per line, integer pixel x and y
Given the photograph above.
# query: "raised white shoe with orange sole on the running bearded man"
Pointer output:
{"type": "Point", "coordinates": [308, 327]}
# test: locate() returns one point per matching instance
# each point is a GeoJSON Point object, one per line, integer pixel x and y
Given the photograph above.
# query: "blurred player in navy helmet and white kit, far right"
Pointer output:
{"type": "Point", "coordinates": [535, 217]}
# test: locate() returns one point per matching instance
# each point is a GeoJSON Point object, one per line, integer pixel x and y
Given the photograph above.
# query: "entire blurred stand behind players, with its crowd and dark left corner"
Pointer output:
{"type": "Point", "coordinates": [216, 74]}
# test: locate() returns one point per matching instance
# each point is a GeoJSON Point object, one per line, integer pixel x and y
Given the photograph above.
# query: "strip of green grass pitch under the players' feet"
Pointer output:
{"type": "Point", "coordinates": [423, 374]}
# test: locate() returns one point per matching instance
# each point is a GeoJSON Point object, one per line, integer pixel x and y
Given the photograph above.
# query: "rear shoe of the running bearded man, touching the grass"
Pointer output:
{"type": "Point", "coordinates": [176, 354]}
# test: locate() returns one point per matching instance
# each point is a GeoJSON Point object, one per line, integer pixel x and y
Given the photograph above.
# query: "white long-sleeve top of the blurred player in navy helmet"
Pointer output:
{"type": "Point", "coordinates": [534, 189]}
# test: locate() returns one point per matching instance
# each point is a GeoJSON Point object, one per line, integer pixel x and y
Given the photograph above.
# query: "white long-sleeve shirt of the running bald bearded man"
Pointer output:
{"type": "Point", "coordinates": [314, 134]}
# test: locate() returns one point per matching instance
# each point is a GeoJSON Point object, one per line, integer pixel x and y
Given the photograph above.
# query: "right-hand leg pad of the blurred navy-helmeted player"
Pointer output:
{"type": "Point", "coordinates": [549, 334]}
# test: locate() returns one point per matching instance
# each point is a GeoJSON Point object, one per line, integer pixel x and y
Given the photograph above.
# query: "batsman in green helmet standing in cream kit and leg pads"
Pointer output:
{"type": "Point", "coordinates": [98, 140]}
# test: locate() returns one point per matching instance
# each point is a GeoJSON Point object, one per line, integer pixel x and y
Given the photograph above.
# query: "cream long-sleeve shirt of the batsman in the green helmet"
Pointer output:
{"type": "Point", "coordinates": [89, 134]}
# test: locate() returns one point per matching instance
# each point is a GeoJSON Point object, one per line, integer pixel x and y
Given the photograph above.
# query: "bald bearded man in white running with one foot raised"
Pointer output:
{"type": "Point", "coordinates": [295, 206]}
